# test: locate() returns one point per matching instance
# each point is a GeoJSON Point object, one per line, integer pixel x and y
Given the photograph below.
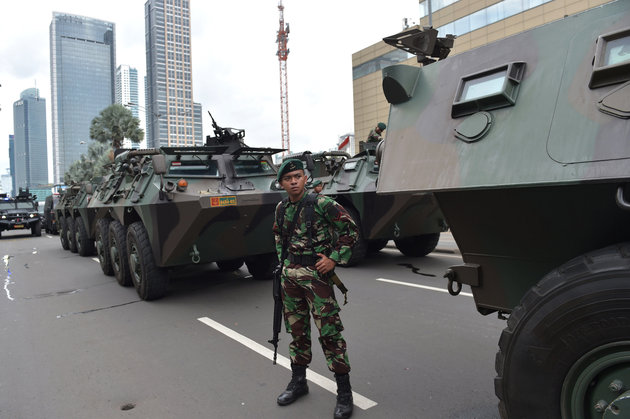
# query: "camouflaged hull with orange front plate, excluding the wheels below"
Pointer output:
{"type": "Point", "coordinates": [224, 213]}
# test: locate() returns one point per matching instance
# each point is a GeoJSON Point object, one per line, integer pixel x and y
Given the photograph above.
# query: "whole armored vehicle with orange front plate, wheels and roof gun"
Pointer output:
{"type": "Point", "coordinates": [168, 207]}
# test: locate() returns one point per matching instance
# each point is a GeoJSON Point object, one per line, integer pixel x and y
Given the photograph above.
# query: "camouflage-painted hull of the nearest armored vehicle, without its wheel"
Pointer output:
{"type": "Point", "coordinates": [526, 175]}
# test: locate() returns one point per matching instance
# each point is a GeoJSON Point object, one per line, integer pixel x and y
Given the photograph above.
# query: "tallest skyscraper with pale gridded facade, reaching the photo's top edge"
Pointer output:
{"type": "Point", "coordinates": [173, 119]}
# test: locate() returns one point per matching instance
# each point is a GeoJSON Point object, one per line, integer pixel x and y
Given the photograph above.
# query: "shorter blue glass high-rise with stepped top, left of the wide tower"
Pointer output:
{"type": "Point", "coordinates": [29, 140]}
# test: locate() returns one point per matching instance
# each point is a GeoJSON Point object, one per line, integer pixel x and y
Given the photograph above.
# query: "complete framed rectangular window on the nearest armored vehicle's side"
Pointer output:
{"type": "Point", "coordinates": [490, 89]}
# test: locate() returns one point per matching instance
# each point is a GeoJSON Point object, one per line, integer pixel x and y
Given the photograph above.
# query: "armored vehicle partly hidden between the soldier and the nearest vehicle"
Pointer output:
{"type": "Point", "coordinates": [351, 181]}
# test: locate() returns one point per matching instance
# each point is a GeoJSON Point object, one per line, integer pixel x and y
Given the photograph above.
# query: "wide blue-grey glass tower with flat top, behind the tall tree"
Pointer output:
{"type": "Point", "coordinates": [82, 63]}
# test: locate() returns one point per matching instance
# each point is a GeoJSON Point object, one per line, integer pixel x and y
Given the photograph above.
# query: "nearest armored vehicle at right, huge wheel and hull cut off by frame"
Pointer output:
{"type": "Point", "coordinates": [525, 145]}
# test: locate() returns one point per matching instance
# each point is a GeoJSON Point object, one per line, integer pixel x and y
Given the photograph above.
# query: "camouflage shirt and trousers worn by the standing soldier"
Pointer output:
{"type": "Point", "coordinates": [305, 290]}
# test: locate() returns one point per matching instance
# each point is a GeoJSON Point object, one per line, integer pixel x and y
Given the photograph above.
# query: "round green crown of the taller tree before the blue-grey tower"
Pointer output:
{"type": "Point", "coordinates": [114, 124]}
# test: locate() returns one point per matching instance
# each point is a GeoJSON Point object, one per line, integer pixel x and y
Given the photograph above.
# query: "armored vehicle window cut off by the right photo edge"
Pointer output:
{"type": "Point", "coordinates": [612, 59]}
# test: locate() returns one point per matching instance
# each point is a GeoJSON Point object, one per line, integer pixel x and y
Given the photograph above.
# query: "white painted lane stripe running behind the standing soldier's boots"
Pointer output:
{"type": "Point", "coordinates": [360, 401]}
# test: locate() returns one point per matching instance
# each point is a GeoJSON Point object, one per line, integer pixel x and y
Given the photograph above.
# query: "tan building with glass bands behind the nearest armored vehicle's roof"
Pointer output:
{"type": "Point", "coordinates": [474, 22]}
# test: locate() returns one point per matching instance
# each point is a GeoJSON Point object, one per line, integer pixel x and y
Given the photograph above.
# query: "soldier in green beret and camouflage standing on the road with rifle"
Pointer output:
{"type": "Point", "coordinates": [306, 280]}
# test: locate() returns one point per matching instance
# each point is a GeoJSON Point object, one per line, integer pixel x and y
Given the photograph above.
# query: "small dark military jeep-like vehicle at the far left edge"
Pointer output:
{"type": "Point", "coordinates": [20, 213]}
